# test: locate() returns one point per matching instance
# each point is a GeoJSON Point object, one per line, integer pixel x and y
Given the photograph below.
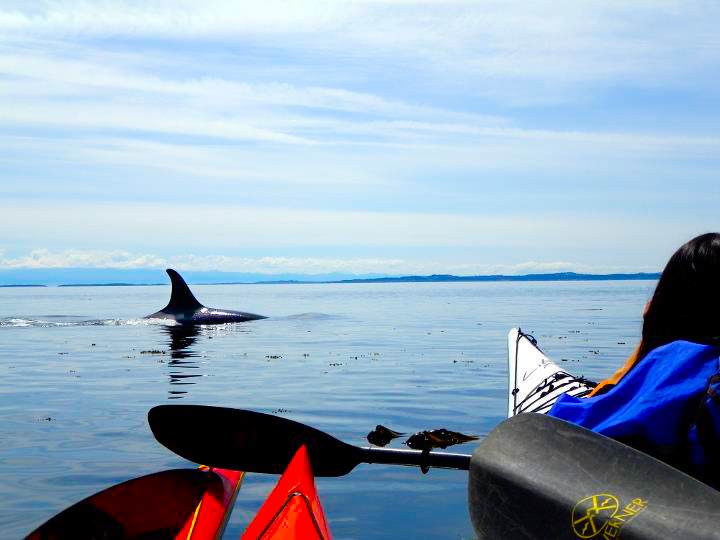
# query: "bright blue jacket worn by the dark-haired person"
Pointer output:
{"type": "Point", "coordinates": [667, 405]}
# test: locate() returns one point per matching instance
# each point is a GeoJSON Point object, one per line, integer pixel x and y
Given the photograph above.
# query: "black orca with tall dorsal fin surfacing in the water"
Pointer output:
{"type": "Point", "coordinates": [185, 309]}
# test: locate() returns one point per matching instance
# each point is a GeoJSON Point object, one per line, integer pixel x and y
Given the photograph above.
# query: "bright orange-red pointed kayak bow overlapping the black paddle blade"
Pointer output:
{"type": "Point", "coordinates": [292, 510]}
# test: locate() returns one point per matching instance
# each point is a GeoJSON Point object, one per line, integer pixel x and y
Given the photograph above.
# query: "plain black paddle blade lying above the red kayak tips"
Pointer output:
{"type": "Point", "coordinates": [246, 440]}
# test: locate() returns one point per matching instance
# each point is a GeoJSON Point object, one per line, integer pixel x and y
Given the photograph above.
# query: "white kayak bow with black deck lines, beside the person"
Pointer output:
{"type": "Point", "coordinates": [534, 381]}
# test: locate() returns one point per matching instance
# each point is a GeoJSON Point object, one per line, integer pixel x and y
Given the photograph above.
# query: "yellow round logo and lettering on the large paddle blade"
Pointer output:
{"type": "Point", "coordinates": [602, 516]}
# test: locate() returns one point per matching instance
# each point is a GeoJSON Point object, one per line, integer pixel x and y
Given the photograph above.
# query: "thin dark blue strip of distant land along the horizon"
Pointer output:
{"type": "Point", "coordinates": [435, 278]}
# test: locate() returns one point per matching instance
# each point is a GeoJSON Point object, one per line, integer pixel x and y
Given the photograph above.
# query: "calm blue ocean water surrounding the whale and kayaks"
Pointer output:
{"type": "Point", "coordinates": [80, 368]}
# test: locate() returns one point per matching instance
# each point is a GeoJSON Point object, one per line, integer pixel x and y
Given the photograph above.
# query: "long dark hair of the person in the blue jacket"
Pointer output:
{"type": "Point", "coordinates": [686, 302]}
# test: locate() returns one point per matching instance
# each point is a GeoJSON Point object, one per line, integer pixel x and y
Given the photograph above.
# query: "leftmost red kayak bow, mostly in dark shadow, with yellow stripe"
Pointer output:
{"type": "Point", "coordinates": [187, 504]}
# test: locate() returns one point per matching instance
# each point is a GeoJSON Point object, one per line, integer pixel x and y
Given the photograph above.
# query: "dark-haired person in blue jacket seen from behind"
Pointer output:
{"type": "Point", "coordinates": [665, 401]}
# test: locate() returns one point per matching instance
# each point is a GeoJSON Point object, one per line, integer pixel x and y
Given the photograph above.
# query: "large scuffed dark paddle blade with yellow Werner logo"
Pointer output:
{"type": "Point", "coordinates": [537, 477]}
